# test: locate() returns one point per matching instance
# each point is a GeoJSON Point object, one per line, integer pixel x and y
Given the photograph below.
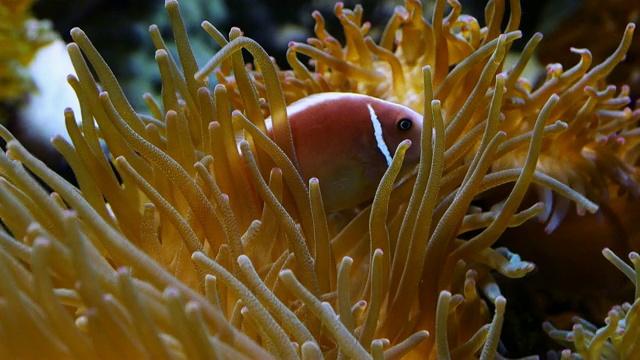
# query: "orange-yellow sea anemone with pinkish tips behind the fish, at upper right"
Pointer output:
{"type": "Point", "coordinates": [594, 157]}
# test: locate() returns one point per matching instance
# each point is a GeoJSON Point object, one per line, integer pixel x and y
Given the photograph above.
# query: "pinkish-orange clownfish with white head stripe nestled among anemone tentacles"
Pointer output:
{"type": "Point", "coordinates": [347, 142]}
